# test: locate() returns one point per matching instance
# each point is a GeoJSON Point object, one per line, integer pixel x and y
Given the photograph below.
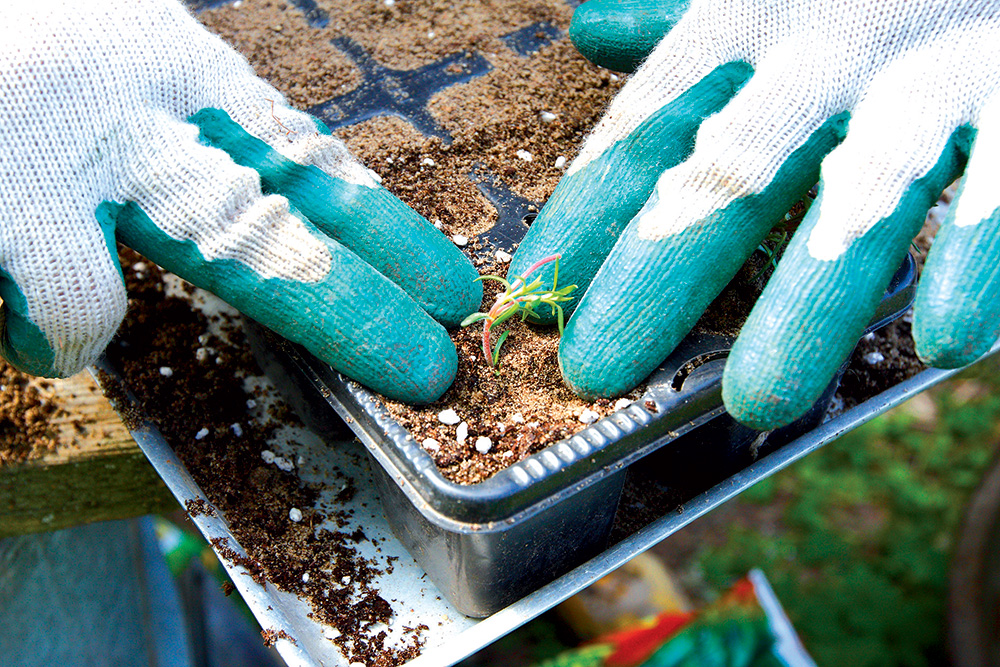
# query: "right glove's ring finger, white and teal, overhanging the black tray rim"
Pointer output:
{"type": "Point", "coordinates": [900, 153]}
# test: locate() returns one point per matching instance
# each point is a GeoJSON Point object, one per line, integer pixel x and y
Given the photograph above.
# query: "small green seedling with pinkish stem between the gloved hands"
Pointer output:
{"type": "Point", "coordinates": [520, 298]}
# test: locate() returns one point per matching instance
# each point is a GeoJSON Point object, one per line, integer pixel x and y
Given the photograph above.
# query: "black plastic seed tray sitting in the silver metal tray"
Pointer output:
{"type": "Point", "coordinates": [489, 544]}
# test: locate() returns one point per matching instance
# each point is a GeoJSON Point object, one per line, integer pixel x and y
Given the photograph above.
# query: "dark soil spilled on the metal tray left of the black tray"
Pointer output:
{"type": "Point", "coordinates": [220, 431]}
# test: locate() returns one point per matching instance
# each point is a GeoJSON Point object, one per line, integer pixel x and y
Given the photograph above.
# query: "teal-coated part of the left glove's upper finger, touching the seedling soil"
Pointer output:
{"type": "Point", "coordinates": [364, 217]}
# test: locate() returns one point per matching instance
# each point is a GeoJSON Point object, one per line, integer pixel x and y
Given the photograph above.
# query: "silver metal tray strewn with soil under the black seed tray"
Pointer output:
{"type": "Point", "coordinates": [453, 635]}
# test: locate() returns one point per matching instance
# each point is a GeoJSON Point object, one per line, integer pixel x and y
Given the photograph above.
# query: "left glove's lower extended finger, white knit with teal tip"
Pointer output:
{"type": "Point", "coordinates": [198, 214]}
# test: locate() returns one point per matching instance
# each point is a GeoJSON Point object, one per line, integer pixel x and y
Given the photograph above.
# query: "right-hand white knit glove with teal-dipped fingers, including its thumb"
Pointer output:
{"type": "Point", "coordinates": [722, 129]}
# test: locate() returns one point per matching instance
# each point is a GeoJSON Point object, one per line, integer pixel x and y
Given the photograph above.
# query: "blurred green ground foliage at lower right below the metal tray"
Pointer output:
{"type": "Point", "coordinates": [860, 554]}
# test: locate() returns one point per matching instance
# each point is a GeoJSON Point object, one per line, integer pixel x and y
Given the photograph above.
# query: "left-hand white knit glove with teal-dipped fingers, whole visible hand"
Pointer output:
{"type": "Point", "coordinates": [130, 120]}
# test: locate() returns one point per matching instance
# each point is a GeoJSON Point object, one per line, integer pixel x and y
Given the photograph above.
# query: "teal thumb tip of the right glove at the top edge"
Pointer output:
{"type": "Point", "coordinates": [620, 34]}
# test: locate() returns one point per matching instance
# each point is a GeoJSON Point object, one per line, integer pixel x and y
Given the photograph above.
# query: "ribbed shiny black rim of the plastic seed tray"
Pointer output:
{"type": "Point", "coordinates": [685, 392]}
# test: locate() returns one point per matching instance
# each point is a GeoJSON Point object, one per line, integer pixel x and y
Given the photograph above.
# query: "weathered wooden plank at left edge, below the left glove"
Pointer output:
{"type": "Point", "coordinates": [97, 472]}
